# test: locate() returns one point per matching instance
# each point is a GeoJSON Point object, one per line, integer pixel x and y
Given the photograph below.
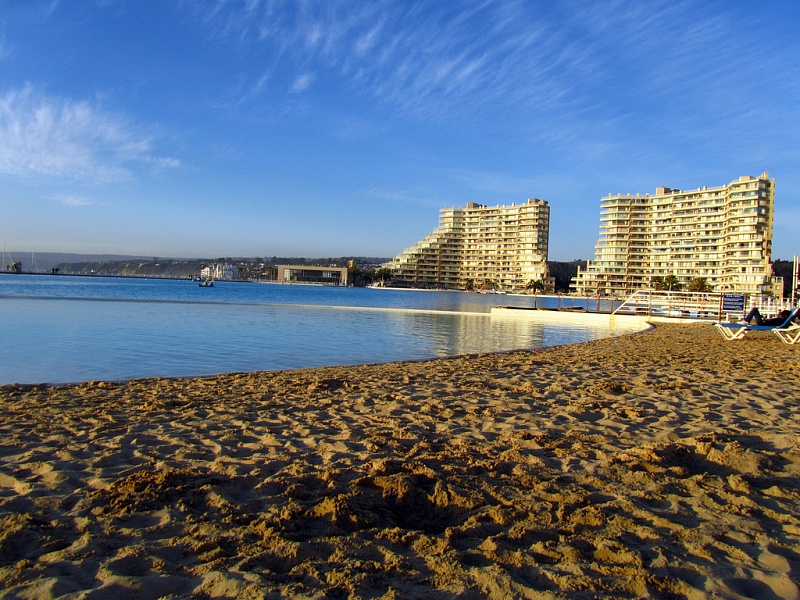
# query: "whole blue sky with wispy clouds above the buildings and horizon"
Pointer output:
{"type": "Point", "coordinates": [205, 128]}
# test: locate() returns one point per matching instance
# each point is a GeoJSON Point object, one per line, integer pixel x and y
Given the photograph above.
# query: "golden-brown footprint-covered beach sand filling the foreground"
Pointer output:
{"type": "Point", "coordinates": [662, 464]}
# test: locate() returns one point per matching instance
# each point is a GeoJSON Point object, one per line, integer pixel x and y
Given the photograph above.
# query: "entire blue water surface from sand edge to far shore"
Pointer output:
{"type": "Point", "coordinates": [58, 329]}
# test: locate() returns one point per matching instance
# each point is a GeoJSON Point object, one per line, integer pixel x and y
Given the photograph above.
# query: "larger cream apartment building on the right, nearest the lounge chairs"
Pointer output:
{"type": "Point", "coordinates": [722, 234]}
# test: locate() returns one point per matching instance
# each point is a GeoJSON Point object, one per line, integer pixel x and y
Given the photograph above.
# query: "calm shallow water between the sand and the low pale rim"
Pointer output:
{"type": "Point", "coordinates": [57, 340]}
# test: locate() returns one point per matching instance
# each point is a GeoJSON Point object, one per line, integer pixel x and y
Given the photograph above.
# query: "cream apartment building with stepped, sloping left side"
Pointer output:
{"type": "Point", "coordinates": [503, 247]}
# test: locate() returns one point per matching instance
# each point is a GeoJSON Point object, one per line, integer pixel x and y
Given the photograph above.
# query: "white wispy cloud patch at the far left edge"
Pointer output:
{"type": "Point", "coordinates": [48, 136]}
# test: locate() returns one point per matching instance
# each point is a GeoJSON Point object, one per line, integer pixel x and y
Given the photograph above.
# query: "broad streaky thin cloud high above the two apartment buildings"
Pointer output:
{"type": "Point", "coordinates": [550, 71]}
